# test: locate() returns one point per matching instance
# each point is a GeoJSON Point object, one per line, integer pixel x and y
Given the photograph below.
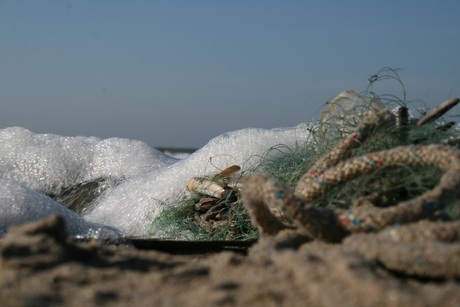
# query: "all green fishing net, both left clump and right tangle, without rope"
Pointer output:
{"type": "Point", "coordinates": [385, 187]}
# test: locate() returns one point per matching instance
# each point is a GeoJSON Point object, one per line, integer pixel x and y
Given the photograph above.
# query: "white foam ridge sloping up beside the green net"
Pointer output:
{"type": "Point", "coordinates": [133, 205]}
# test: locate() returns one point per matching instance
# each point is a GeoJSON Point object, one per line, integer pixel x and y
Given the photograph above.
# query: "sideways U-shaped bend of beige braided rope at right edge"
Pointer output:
{"type": "Point", "coordinates": [370, 219]}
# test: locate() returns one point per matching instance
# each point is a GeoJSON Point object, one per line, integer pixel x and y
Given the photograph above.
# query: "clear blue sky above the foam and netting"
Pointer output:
{"type": "Point", "coordinates": [178, 73]}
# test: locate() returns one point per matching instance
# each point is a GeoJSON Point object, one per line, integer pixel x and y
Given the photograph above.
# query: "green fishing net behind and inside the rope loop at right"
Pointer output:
{"type": "Point", "coordinates": [386, 185]}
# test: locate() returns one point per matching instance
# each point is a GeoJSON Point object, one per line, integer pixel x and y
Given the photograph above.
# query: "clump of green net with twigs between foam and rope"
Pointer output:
{"type": "Point", "coordinates": [212, 212]}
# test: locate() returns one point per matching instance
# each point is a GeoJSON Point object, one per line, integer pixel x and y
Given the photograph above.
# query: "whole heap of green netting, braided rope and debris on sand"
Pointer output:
{"type": "Point", "coordinates": [378, 181]}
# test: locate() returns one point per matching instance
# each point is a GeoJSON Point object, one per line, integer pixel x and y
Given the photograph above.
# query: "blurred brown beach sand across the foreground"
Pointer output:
{"type": "Point", "coordinates": [41, 266]}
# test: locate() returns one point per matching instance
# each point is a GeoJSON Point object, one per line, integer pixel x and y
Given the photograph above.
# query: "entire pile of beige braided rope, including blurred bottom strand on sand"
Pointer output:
{"type": "Point", "coordinates": [410, 237]}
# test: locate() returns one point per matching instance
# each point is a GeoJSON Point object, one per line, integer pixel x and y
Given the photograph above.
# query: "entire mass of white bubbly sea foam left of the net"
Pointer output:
{"type": "Point", "coordinates": [33, 165]}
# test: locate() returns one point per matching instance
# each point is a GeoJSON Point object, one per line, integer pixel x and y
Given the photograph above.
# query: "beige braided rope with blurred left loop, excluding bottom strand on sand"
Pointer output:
{"type": "Point", "coordinates": [260, 193]}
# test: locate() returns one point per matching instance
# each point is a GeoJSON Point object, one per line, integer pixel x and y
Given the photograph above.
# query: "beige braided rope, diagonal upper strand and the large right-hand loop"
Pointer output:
{"type": "Point", "coordinates": [332, 171]}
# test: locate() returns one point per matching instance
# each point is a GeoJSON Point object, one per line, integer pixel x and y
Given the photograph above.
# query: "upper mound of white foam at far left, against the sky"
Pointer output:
{"type": "Point", "coordinates": [48, 162]}
